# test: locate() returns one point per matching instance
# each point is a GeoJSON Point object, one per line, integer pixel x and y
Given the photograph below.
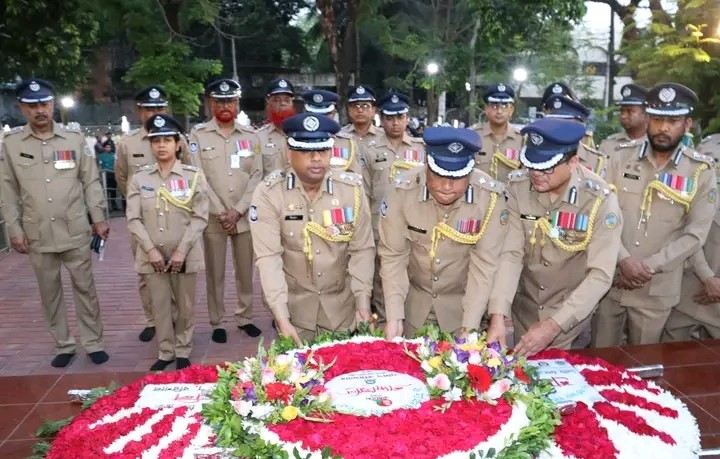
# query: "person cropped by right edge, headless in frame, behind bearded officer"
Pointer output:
{"type": "Point", "coordinates": [697, 315]}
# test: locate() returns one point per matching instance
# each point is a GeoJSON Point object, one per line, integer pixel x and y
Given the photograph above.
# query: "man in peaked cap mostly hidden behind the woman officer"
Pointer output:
{"type": "Point", "coordinates": [133, 152]}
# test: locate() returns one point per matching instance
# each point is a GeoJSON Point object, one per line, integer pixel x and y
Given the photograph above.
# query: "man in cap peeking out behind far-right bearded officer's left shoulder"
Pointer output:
{"type": "Point", "coordinates": [633, 119]}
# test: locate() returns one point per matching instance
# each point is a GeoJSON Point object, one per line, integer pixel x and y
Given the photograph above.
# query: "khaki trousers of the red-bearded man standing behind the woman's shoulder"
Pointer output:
{"type": "Point", "coordinates": [215, 252]}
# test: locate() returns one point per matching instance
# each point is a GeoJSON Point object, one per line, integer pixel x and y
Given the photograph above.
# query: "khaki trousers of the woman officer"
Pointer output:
{"type": "Point", "coordinates": [173, 292]}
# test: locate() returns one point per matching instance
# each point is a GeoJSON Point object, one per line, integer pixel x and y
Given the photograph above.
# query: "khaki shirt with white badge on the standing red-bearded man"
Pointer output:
{"type": "Point", "coordinates": [232, 166]}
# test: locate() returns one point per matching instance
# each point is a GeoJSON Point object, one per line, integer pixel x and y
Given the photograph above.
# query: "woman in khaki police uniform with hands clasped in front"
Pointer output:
{"type": "Point", "coordinates": [167, 211]}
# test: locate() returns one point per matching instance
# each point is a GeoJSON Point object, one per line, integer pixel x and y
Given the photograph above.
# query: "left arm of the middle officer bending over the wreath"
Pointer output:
{"type": "Point", "coordinates": [394, 253]}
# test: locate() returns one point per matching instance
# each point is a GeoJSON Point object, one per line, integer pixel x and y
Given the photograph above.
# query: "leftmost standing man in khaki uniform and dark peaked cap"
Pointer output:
{"type": "Point", "coordinates": [50, 183]}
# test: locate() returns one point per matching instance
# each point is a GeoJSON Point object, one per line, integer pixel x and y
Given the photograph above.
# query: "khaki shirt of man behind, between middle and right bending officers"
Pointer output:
{"type": "Point", "coordinates": [498, 157]}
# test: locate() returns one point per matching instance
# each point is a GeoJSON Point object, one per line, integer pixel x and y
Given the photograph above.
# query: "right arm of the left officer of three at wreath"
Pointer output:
{"type": "Point", "coordinates": [361, 266]}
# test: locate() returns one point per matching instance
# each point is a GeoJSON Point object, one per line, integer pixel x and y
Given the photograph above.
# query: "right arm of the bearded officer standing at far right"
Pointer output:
{"type": "Point", "coordinates": [694, 232]}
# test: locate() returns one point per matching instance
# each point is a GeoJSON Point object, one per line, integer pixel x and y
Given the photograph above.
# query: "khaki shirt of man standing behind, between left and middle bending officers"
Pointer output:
{"type": "Point", "coordinates": [383, 164]}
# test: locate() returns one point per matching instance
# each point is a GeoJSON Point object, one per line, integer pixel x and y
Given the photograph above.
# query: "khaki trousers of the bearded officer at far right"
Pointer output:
{"type": "Point", "coordinates": [643, 325]}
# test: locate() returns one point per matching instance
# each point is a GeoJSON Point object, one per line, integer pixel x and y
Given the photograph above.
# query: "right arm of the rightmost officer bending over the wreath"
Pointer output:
{"type": "Point", "coordinates": [601, 260]}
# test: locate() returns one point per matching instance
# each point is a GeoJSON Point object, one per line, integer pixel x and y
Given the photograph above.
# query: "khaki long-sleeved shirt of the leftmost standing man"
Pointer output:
{"type": "Point", "coordinates": [49, 187]}
